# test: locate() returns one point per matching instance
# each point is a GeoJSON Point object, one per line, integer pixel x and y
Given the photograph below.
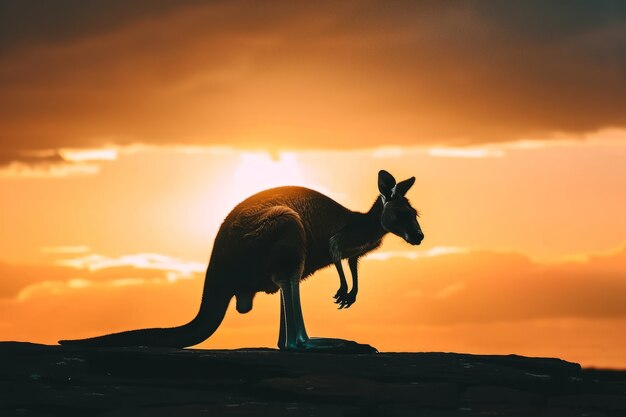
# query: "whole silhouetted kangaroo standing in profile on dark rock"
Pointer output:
{"type": "Point", "coordinates": [270, 242]}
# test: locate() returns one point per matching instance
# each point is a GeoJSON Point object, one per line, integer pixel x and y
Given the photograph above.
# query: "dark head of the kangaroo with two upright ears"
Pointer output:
{"type": "Point", "coordinates": [398, 216]}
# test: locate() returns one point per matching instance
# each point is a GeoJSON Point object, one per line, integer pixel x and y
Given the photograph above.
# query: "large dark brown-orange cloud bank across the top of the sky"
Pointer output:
{"type": "Point", "coordinates": [320, 75]}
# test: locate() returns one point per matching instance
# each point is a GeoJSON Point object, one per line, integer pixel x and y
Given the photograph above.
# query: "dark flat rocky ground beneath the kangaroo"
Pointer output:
{"type": "Point", "coordinates": [40, 380]}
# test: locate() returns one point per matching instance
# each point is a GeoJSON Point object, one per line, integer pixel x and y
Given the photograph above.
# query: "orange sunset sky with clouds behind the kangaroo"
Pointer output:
{"type": "Point", "coordinates": [129, 130]}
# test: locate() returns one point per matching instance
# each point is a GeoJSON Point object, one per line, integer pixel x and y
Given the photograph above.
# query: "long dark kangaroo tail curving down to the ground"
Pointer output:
{"type": "Point", "coordinates": [215, 302]}
